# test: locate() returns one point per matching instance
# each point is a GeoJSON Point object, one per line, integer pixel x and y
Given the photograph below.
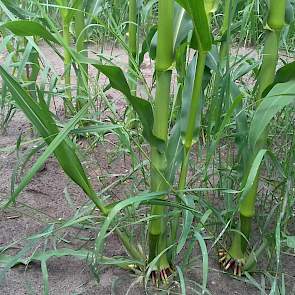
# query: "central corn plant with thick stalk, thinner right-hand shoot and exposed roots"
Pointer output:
{"type": "Point", "coordinates": [190, 121]}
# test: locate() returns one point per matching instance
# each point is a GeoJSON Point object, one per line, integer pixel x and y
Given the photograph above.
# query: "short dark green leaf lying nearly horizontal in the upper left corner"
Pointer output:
{"type": "Point", "coordinates": [25, 28]}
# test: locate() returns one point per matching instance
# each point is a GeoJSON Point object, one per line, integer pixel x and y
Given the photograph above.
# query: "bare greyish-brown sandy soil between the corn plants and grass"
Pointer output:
{"type": "Point", "coordinates": [46, 193]}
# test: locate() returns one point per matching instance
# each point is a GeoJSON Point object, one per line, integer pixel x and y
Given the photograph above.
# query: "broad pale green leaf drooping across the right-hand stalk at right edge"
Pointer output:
{"type": "Point", "coordinates": [279, 97]}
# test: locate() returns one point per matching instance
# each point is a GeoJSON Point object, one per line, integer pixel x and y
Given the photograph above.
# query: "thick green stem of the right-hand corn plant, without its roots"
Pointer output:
{"type": "Point", "coordinates": [276, 21]}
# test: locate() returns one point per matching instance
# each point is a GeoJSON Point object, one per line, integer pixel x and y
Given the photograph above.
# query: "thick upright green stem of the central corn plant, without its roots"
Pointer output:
{"type": "Point", "coordinates": [164, 60]}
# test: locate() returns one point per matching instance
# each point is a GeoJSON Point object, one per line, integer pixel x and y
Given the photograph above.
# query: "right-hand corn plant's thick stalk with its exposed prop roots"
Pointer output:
{"type": "Point", "coordinates": [237, 257]}
